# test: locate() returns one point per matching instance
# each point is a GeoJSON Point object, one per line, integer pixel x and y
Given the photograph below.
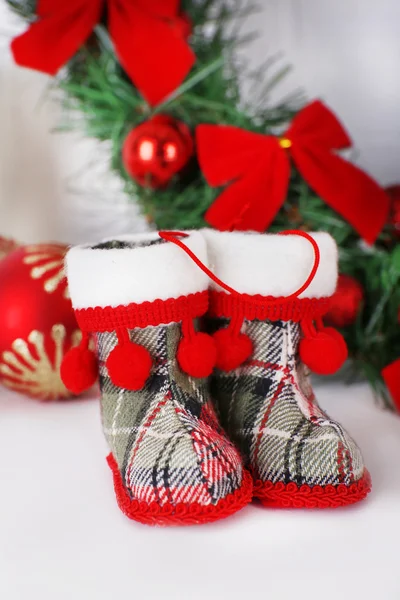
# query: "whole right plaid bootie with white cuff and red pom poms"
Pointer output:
{"type": "Point", "coordinates": [266, 335]}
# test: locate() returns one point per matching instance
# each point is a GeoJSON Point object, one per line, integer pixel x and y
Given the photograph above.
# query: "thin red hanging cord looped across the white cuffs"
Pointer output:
{"type": "Point", "coordinates": [173, 237]}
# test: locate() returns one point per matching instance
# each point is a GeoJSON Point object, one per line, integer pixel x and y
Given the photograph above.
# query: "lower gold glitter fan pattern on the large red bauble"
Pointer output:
{"type": "Point", "coordinates": [28, 368]}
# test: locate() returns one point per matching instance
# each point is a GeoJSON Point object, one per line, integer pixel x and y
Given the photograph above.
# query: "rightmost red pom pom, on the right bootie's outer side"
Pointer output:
{"type": "Point", "coordinates": [325, 353]}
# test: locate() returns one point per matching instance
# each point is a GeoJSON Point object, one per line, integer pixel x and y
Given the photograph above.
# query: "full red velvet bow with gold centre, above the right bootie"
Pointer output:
{"type": "Point", "coordinates": [259, 168]}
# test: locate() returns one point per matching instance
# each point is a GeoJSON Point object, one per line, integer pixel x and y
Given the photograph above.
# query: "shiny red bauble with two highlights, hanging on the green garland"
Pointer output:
{"type": "Point", "coordinates": [157, 150]}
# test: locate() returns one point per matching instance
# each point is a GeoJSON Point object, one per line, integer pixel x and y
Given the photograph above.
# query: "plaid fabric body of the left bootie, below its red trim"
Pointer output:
{"type": "Point", "coordinates": [166, 439]}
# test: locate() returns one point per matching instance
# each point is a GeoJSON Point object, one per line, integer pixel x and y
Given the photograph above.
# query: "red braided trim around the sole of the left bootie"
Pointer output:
{"type": "Point", "coordinates": [180, 514]}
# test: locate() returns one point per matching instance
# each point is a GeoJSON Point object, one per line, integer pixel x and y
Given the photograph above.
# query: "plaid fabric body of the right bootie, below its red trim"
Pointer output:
{"type": "Point", "coordinates": [268, 408]}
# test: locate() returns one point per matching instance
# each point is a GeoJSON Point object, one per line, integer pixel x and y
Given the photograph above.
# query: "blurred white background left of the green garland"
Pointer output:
{"type": "Point", "coordinates": [52, 186]}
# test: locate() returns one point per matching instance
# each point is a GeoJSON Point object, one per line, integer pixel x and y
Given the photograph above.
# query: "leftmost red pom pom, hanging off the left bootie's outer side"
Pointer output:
{"type": "Point", "coordinates": [79, 370]}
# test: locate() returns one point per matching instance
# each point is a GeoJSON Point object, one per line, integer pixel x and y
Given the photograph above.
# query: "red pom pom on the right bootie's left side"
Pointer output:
{"type": "Point", "coordinates": [232, 350]}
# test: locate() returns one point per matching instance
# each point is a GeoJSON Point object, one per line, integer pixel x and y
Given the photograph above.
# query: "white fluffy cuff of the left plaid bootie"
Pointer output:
{"type": "Point", "coordinates": [115, 277]}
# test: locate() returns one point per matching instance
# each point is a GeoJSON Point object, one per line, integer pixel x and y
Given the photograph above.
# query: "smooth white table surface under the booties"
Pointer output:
{"type": "Point", "coordinates": [62, 535]}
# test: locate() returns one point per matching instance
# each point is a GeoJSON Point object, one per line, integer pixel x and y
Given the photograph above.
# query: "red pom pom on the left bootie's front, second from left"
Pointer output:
{"type": "Point", "coordinates": [129, 366]}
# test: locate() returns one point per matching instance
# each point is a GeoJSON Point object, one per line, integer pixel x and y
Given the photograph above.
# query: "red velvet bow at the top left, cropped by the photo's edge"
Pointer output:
{"type": "Point", "coordinates": [149, 39]}
